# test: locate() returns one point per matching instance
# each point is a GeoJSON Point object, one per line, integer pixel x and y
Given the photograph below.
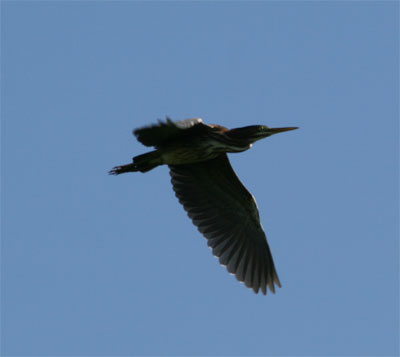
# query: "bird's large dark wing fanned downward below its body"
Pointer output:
{"type": "Point", "coordinates": [226, 213]}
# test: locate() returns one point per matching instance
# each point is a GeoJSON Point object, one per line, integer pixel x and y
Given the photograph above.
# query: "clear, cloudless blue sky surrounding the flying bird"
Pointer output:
{"type": "Point", "coordinates": [99, 265]}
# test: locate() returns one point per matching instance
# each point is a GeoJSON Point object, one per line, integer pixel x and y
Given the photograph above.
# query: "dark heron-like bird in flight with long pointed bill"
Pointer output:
{"type": "Point", "coordinates": [217, 202]}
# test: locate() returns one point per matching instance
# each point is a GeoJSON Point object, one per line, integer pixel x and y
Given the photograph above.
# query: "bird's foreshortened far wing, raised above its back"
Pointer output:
{"type": "Point", "coordinates": [160, 134]}
